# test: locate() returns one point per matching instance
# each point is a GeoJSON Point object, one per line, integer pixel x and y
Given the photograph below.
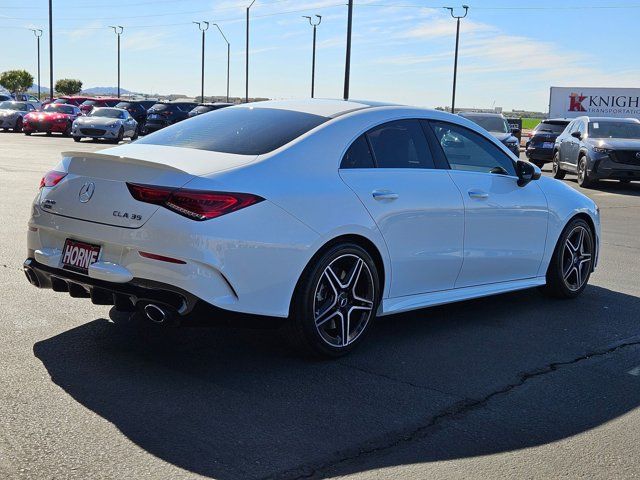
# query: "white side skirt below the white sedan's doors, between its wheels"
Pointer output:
{"type": "Point", "coordinates": [413, 302]}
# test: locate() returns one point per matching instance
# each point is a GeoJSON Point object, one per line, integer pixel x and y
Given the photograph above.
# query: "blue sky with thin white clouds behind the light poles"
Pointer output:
{"type": "Point", "coordinates": [511, 51]}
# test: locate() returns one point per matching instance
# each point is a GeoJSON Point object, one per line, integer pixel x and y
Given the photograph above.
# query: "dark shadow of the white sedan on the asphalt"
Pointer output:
{"type": "Point", "coordinates": [476, 378]}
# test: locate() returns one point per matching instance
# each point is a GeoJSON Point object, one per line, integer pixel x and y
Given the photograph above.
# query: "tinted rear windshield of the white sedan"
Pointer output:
{"type": "Point", "coordinates": [242, 130]}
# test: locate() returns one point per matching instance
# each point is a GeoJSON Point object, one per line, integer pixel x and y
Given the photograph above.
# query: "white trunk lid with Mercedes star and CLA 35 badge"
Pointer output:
{"type": "Point", "coordinates": [95, 188]}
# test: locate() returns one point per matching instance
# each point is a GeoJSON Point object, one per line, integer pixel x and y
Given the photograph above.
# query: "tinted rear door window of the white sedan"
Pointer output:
{"type": "Point", "coordinates": [400, 144]}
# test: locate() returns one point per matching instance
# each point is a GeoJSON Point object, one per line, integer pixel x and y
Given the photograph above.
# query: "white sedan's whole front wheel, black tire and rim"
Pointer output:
{"type": "Point", "coordinates": [561, 272]}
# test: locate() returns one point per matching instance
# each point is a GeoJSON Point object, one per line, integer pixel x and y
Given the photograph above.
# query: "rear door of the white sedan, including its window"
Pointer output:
{"type": "Point", "coordinates": [416, 206]}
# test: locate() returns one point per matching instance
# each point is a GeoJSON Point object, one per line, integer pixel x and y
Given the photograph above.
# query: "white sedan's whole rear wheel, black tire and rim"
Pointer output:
{"type": "Point", "coordinates": [326, 338]}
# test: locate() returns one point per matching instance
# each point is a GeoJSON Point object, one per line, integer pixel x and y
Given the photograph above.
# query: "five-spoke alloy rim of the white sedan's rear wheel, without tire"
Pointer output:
{"type": "Point", "coordinates": [343, 300]}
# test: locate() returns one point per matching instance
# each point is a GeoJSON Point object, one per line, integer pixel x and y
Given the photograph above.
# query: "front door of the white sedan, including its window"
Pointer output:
{"type": "Point", "coordinates": [505, 225]}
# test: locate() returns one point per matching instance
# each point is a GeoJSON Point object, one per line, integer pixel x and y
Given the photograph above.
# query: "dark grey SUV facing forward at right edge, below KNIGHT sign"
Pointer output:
{"type": "Point", "coordinates": [597, 148]}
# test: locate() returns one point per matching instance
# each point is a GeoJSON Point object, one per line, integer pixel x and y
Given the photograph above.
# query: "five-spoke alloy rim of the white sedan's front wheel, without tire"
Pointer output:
{"type": "Point", "coordinates": [576, 258]}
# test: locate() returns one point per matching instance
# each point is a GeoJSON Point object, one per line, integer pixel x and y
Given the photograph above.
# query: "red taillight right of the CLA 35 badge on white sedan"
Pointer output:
{"type": "Point", "coordinates": [195, 204]}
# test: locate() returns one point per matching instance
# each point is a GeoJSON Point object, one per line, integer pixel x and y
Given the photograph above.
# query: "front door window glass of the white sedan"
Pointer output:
{"type": "Point", "coordinates": [467, 150]}
